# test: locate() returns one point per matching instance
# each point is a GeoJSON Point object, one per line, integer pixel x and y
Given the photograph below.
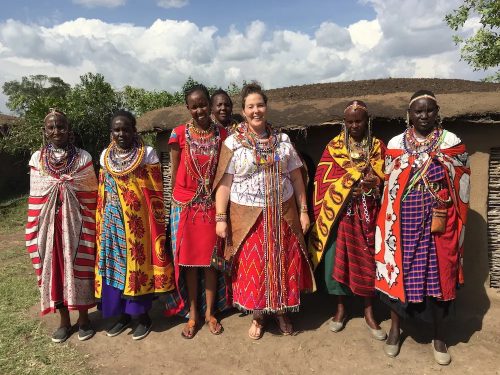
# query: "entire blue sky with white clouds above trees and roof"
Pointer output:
{"type": "Point", "coordinates": [158, 44]}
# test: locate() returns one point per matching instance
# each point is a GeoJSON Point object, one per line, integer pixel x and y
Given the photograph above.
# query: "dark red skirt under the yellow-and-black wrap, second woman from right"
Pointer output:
{"type": "Point", "coordinates": [354, 264]}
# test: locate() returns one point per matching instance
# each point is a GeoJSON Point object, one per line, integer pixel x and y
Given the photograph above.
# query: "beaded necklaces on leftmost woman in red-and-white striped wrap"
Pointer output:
{"type": "Point", "coordinates": [59, 161]}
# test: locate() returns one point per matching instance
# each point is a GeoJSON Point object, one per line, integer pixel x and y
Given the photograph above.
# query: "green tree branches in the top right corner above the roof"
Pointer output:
{"type": "Point", "coordinates": [481, 50]}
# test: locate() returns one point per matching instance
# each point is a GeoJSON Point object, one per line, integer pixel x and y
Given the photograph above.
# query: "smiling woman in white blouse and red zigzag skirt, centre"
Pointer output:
{"type": "Point", "coordinates": [259, 174]}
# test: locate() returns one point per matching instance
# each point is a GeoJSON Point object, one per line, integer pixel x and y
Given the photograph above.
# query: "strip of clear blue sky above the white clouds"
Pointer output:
{"type": "Point", "coordinates": [294, 15]}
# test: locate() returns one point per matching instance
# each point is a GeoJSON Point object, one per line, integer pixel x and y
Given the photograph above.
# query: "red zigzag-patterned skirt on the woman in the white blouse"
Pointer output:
{"type": "Point", "coordinates": [268, 281]}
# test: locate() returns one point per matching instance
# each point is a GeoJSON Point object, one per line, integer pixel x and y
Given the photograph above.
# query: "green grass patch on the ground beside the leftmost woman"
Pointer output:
{"type": "Point", "coordinates": [25, 346]}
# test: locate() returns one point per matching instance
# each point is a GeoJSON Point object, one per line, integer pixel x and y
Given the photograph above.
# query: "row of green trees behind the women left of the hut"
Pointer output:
{"type": "Point", "coordinates": [89, 106]}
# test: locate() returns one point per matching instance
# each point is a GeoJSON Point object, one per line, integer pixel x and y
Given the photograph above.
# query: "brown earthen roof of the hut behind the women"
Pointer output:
{"type": "Point", "coordinates": [312, 105]}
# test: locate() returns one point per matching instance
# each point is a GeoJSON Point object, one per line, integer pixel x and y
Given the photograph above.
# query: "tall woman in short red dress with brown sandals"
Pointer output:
{"type": "Point", "coordinates": [194, 149]}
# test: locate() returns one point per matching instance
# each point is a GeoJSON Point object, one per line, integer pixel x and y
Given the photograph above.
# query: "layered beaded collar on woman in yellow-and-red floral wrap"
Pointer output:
{"type": "Point", "coordinates": [120, 162]}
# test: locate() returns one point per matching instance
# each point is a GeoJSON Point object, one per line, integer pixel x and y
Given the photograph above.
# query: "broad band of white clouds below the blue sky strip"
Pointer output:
{"type": "Point", "coordinates": [410, 42]}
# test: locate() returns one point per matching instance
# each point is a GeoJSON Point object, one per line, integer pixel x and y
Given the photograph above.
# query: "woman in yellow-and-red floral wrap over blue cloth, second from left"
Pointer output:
{"type": "Point", "coordinates": [132, 266]}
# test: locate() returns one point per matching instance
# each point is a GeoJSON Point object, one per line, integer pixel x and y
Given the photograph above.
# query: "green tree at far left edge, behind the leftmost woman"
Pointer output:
{"type": "Point", "coordinates": [31, 98]}
